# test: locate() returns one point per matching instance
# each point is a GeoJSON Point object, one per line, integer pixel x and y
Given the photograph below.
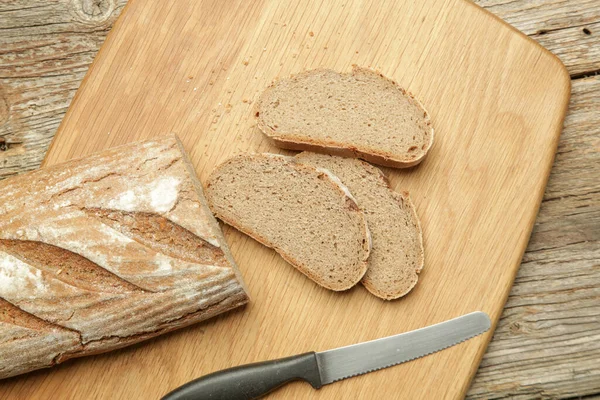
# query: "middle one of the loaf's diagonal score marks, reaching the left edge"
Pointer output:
{"type": "Point", "coordinates": [67, 266]}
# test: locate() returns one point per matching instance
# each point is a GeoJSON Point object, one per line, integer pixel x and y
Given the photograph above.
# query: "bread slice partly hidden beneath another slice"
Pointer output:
{"type": "Point", "coordinates": [397, 254]}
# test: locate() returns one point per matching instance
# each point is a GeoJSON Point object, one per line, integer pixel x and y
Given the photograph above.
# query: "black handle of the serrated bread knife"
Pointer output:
{"type": "Point", "coordinates": [250, 381]}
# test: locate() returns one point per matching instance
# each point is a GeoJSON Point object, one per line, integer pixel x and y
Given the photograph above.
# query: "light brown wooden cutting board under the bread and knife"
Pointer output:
{"type": "Point", "coordinates": [195, 68]}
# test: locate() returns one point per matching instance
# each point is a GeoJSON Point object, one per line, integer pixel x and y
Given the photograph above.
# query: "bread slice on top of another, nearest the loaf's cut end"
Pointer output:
{"type": "Point", "coordinates": [303, 213]}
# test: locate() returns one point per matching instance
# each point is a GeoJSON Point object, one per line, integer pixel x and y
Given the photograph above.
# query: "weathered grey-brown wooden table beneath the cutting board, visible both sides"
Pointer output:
{"type": "Point", "coordinates": [547, 344]}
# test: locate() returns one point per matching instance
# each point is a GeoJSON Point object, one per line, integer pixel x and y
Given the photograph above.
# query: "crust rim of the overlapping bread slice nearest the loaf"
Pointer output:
{"type": "Point", "coordinates": [256, 236]}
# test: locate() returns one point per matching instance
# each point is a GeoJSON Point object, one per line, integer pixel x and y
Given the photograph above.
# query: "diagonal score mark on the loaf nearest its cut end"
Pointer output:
{"type": "Point", "coordinates": [161, 235]}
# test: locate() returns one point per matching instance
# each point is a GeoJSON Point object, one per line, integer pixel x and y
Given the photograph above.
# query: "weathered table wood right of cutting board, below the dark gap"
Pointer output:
{"type": "Point", "coordinates": [547, 341]}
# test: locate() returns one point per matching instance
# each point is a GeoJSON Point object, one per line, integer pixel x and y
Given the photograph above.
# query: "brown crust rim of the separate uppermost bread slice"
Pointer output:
{"type": "Point", "coordinates": [335, 148]}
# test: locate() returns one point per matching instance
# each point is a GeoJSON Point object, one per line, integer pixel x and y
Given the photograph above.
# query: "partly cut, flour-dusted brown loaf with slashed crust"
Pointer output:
{"type": "Point", "coordinates": [106, 251]}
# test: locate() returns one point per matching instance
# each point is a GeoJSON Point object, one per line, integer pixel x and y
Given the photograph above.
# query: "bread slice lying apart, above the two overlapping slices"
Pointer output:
{"type": "Point", "coordinates": [360, 114]}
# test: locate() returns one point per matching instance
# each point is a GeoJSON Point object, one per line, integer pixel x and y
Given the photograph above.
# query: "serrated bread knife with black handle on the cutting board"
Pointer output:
{"type": "Point", "coordinates": [253, 381]}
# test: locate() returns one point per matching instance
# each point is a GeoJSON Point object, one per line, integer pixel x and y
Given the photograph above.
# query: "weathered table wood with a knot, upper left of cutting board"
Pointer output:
{"type": "Point", "coordinates": [45, 51]}
